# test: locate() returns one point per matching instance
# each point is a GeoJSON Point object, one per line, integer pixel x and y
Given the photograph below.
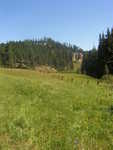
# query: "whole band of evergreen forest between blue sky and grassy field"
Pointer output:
{"type": "Point", "coordinates": [33, 53]}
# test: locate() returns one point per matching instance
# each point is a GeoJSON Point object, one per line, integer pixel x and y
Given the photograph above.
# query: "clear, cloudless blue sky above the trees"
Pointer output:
{"type": "Point", "coordinates": [76, 21]}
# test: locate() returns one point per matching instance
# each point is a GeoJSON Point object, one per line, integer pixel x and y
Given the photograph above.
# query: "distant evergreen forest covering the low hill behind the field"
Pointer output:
{"type": "Point", "coordinates": [33, 53]}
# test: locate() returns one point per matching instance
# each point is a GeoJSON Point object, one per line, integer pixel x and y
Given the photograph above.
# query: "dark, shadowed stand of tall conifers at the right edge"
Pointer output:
{"type": "Point", "coordinates": [98, 62]}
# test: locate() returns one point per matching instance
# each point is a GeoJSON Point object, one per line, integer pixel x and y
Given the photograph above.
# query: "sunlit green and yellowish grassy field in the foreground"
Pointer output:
{"type": "Point", "coordinates": [40, 111]}
